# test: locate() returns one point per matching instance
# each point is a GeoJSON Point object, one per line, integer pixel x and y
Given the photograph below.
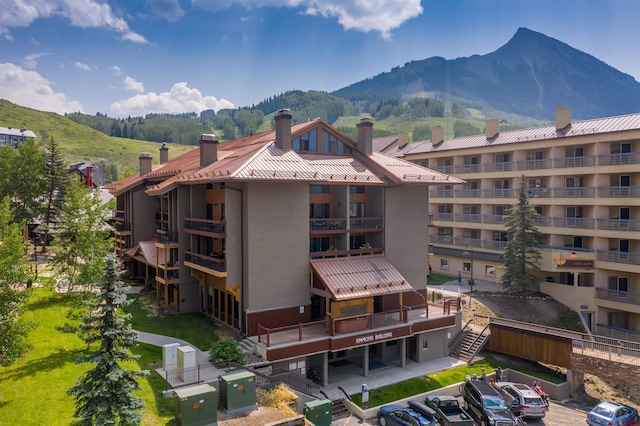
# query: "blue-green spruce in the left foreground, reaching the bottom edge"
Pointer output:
{"type": "Point", "coordinates": [106, 394]}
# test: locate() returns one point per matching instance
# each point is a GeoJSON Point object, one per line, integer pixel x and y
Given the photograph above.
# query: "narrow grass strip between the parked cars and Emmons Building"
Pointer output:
{"type": "Point", "coordinates": [387, 394]}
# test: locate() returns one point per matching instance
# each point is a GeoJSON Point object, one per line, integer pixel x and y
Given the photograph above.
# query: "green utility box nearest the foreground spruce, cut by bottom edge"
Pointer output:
{"type": "Point", "coordinates": [197, 406]}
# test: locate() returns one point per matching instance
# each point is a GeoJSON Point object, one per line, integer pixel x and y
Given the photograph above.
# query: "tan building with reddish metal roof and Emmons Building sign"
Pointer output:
{"type": "Point", "coordinates": [309, 243]}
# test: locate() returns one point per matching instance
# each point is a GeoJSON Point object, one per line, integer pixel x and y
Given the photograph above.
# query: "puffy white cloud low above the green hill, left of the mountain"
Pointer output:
{"type": "Point", "coordinates": [179, 99]}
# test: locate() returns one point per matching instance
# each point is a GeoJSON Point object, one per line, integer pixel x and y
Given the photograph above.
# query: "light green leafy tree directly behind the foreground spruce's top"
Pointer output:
{"type": "Point", "coordinates": [82, 237]}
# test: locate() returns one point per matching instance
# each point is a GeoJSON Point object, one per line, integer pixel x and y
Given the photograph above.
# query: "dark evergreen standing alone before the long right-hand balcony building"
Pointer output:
{"type": "Point", "coordinates": [521, 254]}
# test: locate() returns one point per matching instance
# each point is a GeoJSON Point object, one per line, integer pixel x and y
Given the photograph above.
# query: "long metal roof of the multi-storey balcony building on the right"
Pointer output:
{"type": "Point", "coordinates": [576, 128]}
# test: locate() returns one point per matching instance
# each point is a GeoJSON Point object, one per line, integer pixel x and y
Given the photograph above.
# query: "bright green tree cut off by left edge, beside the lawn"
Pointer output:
{"type": "Point", "coordinates": [14, 275]}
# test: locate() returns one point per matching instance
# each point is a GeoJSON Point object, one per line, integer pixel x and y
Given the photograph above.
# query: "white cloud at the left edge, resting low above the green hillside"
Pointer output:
{"type": "Point", "coordinates": [30, 89]}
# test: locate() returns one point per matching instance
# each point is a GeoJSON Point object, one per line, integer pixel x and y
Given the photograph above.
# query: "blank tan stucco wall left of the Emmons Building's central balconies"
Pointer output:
{"type": "Point", "coordinates": [277, 245]}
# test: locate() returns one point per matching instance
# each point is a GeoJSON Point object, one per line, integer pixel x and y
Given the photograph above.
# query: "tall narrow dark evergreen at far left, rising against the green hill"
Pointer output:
{"type": "Point", "coordinates": [57, 180]}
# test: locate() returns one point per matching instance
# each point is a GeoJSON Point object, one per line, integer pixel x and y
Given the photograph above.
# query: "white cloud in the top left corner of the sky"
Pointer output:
{"type": "Point", "coordinates": [81, 13]}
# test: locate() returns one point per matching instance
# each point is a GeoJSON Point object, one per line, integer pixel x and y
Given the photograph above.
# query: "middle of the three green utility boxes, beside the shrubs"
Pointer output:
{"type": "Point", "coordinates": [238, 391]}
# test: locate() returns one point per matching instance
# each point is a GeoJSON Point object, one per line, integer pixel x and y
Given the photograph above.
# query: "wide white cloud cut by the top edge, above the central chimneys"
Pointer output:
{"type": "Point", "coordinates": [359, 15]}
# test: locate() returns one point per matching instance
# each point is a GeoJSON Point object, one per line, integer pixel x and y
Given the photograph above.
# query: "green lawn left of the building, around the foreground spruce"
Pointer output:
{"type": "Point", "coordinates": [33, 389]}
